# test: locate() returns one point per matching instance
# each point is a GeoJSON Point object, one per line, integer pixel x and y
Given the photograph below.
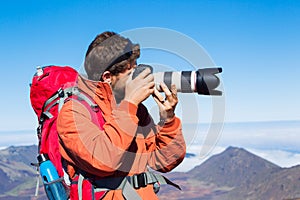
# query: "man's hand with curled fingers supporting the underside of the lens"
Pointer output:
{"type": "Point", "coordinates": [166, 104]}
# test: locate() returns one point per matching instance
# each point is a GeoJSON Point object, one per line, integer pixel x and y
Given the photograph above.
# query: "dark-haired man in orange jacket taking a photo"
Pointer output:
{"type": "Point", "coordinates": [115, 152]}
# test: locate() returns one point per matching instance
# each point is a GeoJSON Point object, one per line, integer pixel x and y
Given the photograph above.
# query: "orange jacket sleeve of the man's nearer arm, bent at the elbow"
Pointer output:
{"type": "Point", "coordinates": [94, 150]}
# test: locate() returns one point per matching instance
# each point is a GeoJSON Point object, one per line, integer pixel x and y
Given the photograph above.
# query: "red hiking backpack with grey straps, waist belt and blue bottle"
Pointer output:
{"type": "Point", "coordinates": [51, 87]}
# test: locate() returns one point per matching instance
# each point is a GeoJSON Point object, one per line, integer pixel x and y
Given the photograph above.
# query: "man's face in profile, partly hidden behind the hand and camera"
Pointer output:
{"type": "Point", "coordinates": [118, 83]}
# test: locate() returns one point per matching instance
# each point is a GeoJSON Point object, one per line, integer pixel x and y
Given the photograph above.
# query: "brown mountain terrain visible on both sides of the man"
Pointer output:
{"type": "Point", "coordinates": [233, 174]}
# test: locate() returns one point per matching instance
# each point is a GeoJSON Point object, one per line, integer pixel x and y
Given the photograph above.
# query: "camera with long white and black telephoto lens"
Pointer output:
{"type": "Point", "coordinates": [203, 81]}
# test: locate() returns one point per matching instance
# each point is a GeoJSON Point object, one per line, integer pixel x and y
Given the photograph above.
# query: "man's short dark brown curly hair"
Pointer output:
{"type": "Point", "coordinates": [109, 52]}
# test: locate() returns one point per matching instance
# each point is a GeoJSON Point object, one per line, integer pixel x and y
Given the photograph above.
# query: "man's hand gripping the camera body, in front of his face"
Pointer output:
{"type": "Point", "coordinates": [140, 88]}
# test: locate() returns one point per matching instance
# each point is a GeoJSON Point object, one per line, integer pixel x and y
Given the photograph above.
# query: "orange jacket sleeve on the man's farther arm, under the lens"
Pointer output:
{"type": "Point", "coordinates": [165, 144]}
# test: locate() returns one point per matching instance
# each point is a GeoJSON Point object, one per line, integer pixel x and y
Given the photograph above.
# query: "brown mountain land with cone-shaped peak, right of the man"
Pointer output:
{"type": "Point", "coordinates": [235, 174]}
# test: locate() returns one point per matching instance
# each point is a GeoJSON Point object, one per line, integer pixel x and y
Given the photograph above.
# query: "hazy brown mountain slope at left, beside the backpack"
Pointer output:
{"type": "Point", "coordinates": [18, 177]}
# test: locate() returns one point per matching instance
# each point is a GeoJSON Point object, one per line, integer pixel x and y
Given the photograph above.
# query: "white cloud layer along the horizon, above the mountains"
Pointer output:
{"type": "Point", "coordinates": [277, 142]}
